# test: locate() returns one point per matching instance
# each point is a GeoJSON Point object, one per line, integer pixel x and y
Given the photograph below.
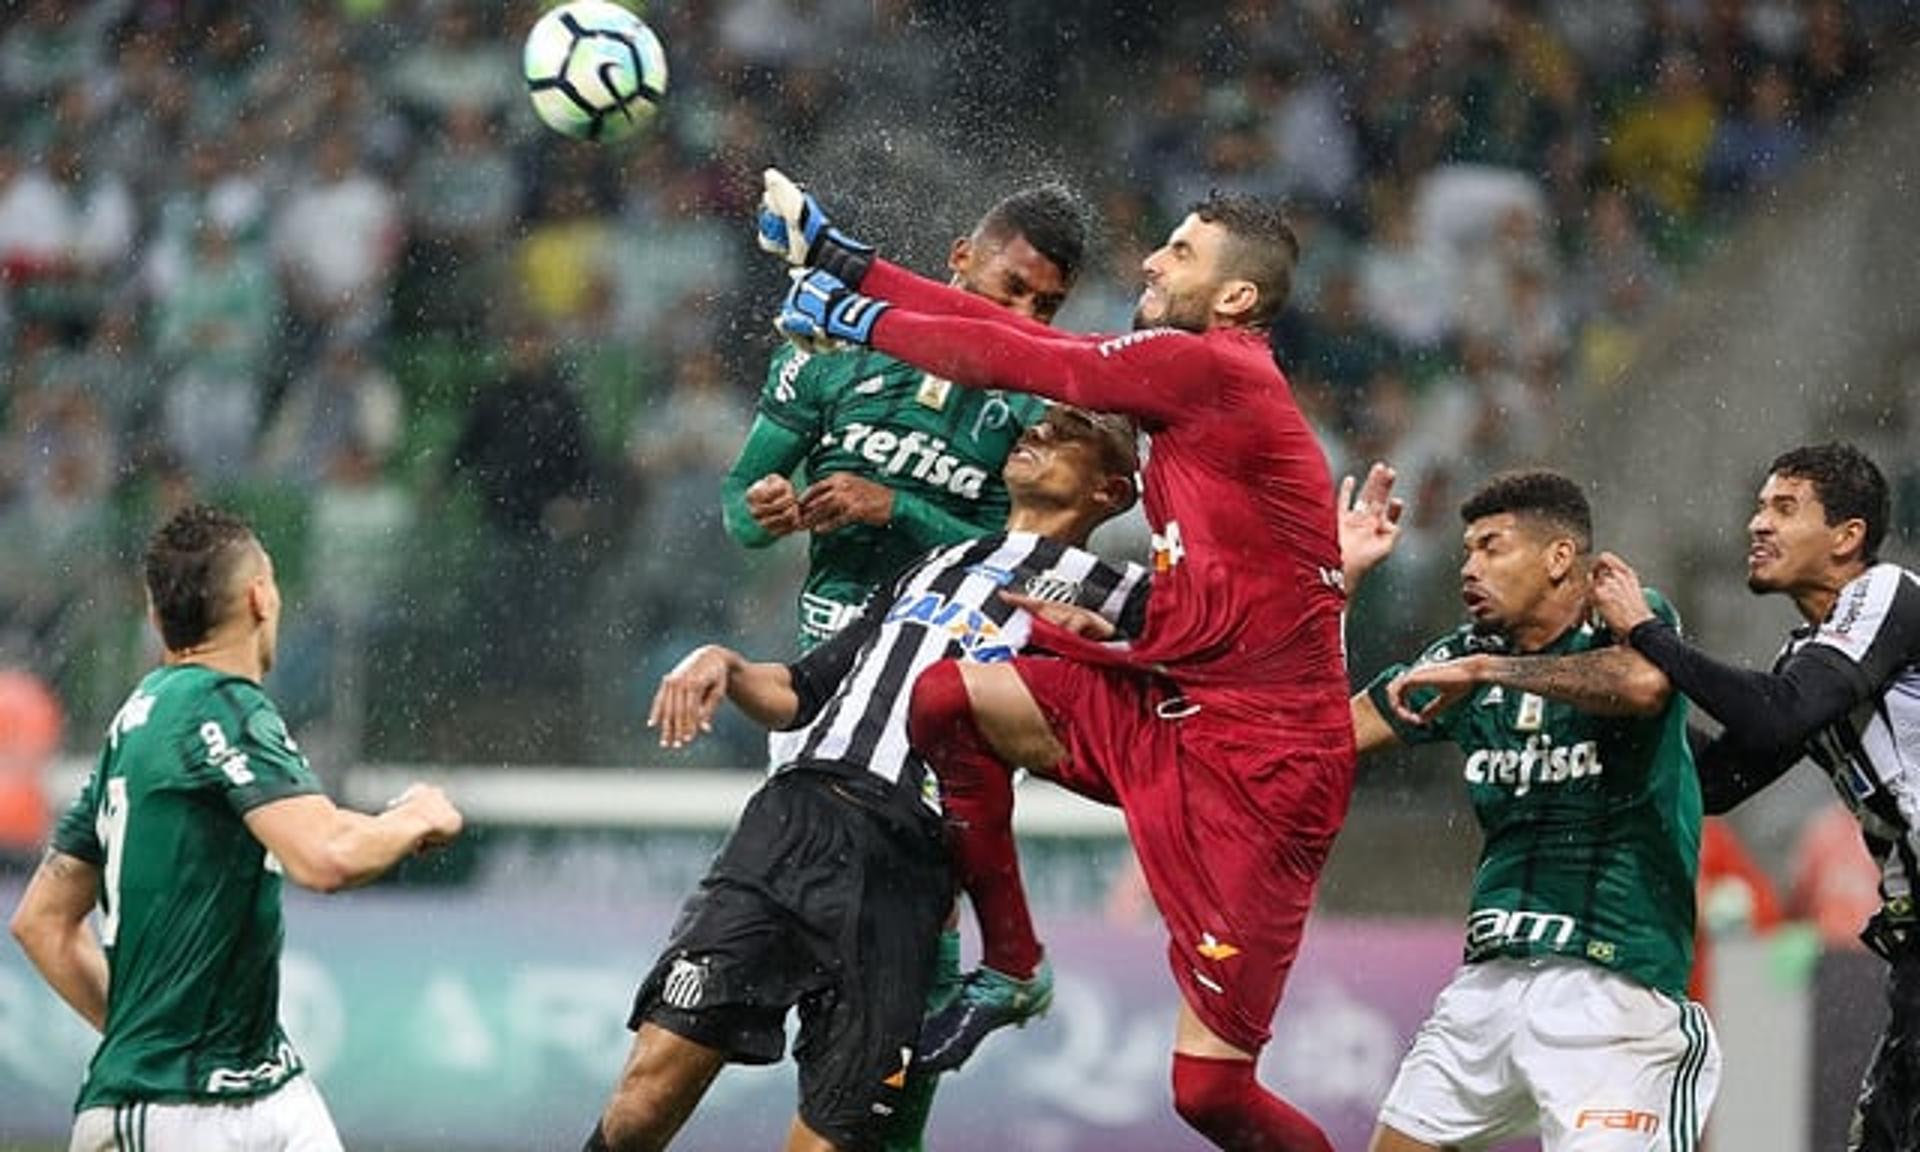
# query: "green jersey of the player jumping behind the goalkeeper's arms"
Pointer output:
{"type": "Point", "coordinates": [936, 446]}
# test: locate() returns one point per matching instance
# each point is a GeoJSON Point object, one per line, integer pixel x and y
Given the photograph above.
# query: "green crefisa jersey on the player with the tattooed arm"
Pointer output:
{"type": "Point", "coordinates": [1591, 823]}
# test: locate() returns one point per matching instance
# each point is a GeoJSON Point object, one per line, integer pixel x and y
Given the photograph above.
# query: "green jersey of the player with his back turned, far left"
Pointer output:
{"type": "Point", "coordinates": [189, 900]}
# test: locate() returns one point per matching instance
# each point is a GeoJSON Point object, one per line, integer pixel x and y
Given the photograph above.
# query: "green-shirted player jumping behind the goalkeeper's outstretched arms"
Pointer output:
{"type": "Point", "coordinates": [892, 462]}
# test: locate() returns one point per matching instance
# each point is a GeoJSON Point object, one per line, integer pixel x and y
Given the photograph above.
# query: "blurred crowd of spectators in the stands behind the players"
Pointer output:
{"type": "Point", "coordinates": [477, 385]}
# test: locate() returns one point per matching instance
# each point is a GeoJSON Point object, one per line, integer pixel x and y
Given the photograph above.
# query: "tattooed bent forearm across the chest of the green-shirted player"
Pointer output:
{"type": "Point", "coordinates": [1606, 683]}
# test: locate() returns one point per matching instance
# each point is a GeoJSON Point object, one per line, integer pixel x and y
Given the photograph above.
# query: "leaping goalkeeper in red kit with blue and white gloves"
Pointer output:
{"type": "Point", "coordinates": [1224, 729]}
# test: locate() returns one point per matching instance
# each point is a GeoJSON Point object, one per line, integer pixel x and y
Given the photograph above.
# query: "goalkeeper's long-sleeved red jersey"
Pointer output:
{"type": "Point", "coordinates": [1245, 606]}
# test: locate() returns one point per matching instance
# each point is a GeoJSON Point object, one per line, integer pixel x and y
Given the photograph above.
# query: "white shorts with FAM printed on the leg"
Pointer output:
{"type": "Point", "coordinates": [1589, 1059]}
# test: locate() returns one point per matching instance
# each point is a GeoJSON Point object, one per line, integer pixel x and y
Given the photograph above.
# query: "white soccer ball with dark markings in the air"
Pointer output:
{"type": "Point", "coordinates": [594, 70]}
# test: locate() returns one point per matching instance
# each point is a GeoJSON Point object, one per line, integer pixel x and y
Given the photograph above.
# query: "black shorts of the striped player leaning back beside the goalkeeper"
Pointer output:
{"type": "Point", "coordinates": [828, 898]}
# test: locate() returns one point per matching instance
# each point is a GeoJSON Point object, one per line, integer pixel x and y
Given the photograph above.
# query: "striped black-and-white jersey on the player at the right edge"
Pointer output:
{"type": "Point", "coordinates": [1873, 752]}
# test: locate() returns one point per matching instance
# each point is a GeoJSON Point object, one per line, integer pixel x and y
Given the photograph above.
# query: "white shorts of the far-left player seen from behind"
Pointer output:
{"type": "Point", "coordinates": [291, 1118]}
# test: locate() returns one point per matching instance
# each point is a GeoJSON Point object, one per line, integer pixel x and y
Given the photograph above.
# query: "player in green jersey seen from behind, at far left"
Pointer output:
{"type": "Point", "coordinates": [199, 805]}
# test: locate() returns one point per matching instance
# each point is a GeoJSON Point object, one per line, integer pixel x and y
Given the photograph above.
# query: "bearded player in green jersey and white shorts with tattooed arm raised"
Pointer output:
{"type": "Point", "coordinates": [1570, 1015]}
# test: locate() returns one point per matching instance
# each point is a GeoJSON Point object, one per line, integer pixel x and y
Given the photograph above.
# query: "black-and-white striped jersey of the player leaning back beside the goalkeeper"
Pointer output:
{"type": "Point", "coordinates": [855, 688]}
